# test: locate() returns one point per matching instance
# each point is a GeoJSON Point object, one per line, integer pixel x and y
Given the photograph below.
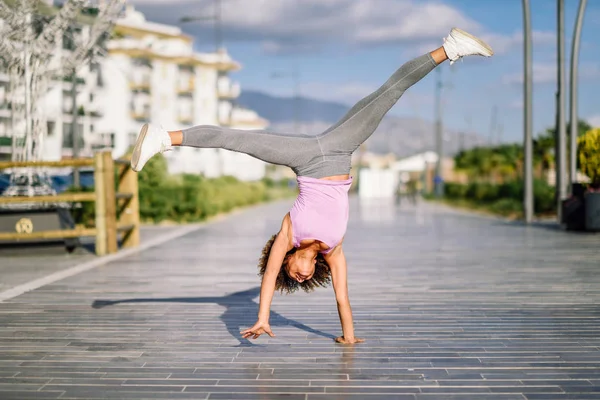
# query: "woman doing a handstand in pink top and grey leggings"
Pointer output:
{"type": "Point", "coordinates": [307, 250]}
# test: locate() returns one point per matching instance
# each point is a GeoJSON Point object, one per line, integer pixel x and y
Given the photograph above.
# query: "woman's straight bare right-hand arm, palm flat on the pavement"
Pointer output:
{"type": "Point", "coordinates": [337, 263]}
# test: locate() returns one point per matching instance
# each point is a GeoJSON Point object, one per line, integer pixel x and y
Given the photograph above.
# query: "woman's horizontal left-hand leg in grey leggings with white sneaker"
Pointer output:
{"type": "Point", "coordinates": [271, 147]}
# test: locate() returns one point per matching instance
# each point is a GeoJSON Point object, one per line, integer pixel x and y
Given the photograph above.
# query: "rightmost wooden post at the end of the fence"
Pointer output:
{"type": "Point", "coordinates": [130, 215]}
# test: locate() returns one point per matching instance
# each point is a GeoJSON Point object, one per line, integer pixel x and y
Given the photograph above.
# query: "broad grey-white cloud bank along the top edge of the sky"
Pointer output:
{"type": "Point", "coordinates": [285, 26]}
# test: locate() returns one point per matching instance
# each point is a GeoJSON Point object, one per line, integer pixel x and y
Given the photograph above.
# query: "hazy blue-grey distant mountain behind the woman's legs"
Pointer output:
{"type": "Point", "coordinates": [399, 135]}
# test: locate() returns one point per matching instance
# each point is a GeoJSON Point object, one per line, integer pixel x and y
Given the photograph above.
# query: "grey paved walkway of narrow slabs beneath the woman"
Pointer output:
{"type": "Point", "coordinates": [452, 307]}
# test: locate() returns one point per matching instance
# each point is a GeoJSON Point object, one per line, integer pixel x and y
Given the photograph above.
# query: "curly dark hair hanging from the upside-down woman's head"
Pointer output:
{"type": "Point", "coordinates": [321, 277]}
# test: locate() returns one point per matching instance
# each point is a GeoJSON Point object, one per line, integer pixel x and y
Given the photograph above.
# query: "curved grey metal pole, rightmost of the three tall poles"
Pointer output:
{"type": "Point", "coordinates": [573, 92]}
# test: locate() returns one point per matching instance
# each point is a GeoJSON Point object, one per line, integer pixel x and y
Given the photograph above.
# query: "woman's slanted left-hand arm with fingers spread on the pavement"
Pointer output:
{"type": "Point", "coordinates": [280, 247]}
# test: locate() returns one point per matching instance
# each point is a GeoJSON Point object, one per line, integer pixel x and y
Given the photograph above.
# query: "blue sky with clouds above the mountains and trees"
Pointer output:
{"type": "Point", "coordinates": [343, 49]}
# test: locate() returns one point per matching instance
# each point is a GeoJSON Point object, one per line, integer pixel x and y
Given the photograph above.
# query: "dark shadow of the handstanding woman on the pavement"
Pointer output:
{"type": "Point", "coordinates": [239, 314]}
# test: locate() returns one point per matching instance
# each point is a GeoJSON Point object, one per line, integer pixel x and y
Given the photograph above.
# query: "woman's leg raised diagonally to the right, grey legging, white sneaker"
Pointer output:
{"type": "Point", "coordinates": [362, 119]}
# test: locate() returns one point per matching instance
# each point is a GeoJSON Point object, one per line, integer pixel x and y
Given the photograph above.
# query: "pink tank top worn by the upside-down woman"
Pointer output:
{"type": "Point", "coordinates": [320, 211]}
